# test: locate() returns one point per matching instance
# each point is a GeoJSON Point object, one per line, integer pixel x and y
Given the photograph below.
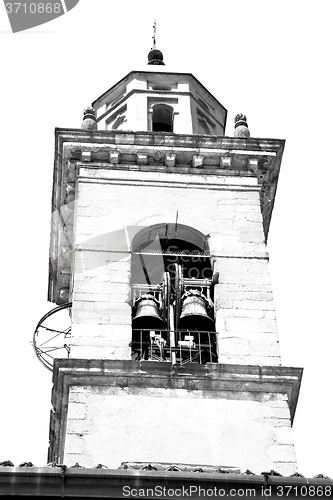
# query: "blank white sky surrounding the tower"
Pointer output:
{"type": "Point", "coordinates": [269, 59]}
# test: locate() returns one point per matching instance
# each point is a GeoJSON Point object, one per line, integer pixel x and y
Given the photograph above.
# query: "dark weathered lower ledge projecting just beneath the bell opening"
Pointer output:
{"type": "Point", "coordinates": [216, 381]}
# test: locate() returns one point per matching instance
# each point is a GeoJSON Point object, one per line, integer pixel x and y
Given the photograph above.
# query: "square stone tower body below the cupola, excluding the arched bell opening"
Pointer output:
{"type": "Point", "coordinates": [108, 408]}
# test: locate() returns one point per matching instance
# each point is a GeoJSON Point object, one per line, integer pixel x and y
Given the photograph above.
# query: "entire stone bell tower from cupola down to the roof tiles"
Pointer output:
{"type": "Point", "coordinates": [158, 251]}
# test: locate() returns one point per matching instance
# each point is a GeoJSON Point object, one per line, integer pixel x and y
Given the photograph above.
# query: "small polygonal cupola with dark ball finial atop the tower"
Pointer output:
{"type": "Point", "coordinates": [160, 101]}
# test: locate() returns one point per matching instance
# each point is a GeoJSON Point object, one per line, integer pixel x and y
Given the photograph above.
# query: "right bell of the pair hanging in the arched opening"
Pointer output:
{"type": "Point", "coordinates": [194, 313]}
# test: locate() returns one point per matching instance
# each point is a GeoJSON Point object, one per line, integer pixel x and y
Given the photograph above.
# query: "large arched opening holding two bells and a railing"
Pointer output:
{"type": "Point", "coordinates": [172, 295]}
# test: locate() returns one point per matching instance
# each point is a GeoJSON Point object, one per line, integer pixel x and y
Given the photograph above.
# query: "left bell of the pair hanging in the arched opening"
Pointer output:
{"type": "Point", "coordinates": [147, 317]}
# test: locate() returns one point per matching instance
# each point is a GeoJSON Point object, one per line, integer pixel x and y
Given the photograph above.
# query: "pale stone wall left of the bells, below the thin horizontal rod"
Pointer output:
{"type": "Point", "coordinates": [101, 317]}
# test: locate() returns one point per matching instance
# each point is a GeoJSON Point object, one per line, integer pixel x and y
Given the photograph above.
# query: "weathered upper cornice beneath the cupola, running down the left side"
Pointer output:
{"type": "Point", "coordinates": [193, 155]}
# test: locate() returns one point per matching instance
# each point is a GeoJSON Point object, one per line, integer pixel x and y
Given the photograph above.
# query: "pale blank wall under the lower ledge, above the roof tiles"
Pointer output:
{"type": "Point", "coordinates": [113, 424]}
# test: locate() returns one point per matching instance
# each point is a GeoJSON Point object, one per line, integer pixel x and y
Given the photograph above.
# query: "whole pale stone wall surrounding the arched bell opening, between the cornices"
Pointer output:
{"type": "Point", "coordinates": [225, 208]}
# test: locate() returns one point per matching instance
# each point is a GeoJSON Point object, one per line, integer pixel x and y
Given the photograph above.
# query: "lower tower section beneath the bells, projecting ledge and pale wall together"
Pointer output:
{"type": "Point", "coordinates": [229, 416]}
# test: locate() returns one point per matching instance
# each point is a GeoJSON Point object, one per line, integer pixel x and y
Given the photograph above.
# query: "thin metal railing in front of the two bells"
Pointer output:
{"type": "Point", "coordinates": [175, 346]}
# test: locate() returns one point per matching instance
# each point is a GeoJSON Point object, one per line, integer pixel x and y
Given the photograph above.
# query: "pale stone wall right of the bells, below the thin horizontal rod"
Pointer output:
{"type": "Point", "coordinates": [245, 315]}
